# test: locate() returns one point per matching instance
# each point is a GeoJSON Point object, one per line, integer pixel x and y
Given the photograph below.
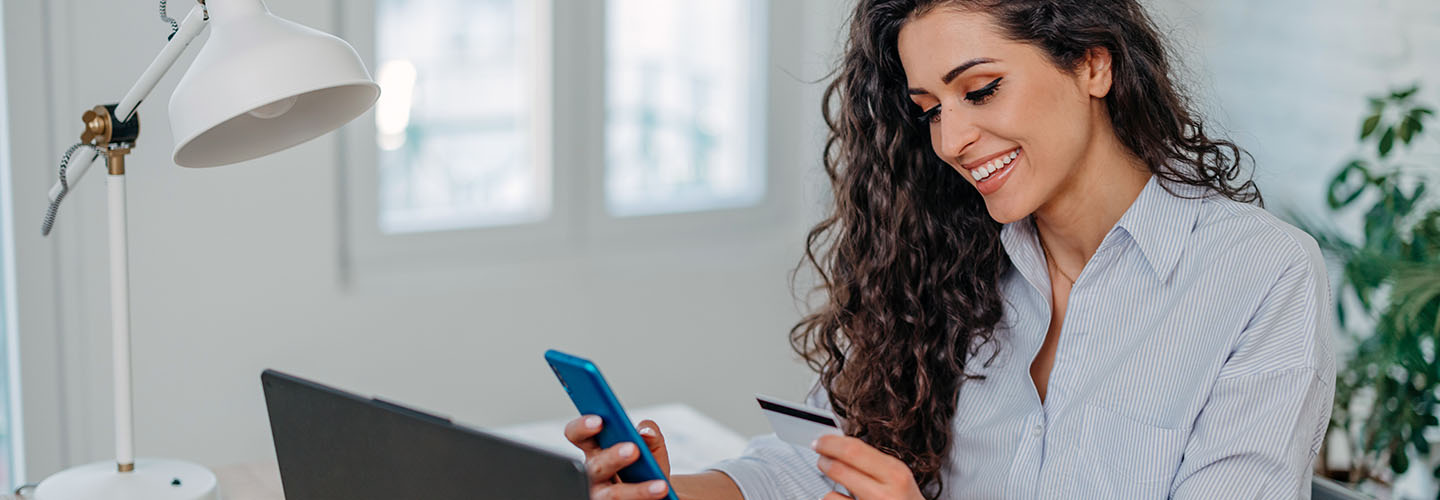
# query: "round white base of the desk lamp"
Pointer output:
{"type": "Point", "coordinates": [150, 481]}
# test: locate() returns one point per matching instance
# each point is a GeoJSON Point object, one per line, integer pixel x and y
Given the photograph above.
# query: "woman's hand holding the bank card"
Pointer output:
{"type": "Point", "coordinates": [868, 473]}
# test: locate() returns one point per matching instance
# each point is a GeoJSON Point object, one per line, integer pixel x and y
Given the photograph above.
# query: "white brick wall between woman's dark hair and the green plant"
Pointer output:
{"type": "Point", "coordinates": [1290, 79]}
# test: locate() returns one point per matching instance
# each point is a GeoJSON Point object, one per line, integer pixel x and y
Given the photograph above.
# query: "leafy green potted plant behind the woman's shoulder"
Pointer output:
{"type": "Point", "coordinates": [1389, 302]}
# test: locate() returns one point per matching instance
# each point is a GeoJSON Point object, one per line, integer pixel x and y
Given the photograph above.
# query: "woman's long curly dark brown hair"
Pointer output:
{"type": "Point", "coordinates": [909, 262]}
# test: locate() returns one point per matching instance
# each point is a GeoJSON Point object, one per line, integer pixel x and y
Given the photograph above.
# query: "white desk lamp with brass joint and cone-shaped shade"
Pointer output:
{"type": "Point", "coordinates": [260, 86]}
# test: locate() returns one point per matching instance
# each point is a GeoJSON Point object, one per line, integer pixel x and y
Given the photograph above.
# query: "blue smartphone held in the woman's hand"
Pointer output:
{"type": "Point", "coordinates": [593, 397]}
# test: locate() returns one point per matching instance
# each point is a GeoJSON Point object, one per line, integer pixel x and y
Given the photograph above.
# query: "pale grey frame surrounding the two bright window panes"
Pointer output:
{"type": "Point", "coordinates": [580, 226]}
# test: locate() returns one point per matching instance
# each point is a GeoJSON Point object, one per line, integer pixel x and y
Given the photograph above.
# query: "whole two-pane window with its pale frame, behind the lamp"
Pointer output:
{"type": "Point", "coordinates": [541, 130]}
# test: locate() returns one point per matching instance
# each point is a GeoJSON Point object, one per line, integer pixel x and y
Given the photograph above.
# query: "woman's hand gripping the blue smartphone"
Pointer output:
{"type": "Point", "coordinates": [604, 463]}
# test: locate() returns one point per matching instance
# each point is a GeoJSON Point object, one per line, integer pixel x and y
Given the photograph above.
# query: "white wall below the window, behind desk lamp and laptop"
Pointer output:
{"type": "Point", "coordinates": [243, 269]}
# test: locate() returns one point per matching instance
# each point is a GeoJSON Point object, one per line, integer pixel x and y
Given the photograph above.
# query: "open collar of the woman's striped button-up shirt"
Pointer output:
{"type": "Point", "coordinates": [1158, 223]}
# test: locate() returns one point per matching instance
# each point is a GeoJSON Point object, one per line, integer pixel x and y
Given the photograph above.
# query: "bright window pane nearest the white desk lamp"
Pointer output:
{"type": "Point", "coordinates": [453, 123]}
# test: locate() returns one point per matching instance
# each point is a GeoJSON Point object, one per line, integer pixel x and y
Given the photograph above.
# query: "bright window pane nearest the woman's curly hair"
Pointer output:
{"type": "Point", "coordinates": [683, 110]}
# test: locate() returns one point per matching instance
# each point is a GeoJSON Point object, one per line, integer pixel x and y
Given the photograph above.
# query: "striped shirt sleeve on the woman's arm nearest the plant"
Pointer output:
{"type": "Point", "coordinates": [1269, 409]}
